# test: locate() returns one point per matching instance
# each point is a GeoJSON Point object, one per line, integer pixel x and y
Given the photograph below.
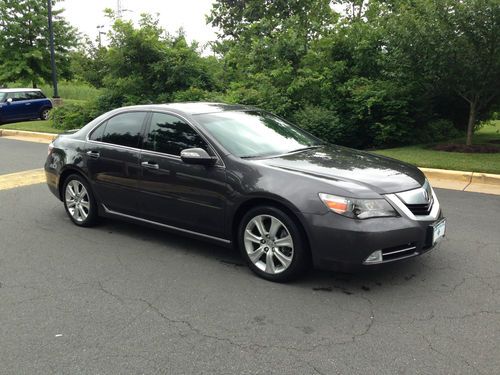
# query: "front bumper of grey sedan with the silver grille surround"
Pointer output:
{"type": "Point", "coordinates": [339, 242]}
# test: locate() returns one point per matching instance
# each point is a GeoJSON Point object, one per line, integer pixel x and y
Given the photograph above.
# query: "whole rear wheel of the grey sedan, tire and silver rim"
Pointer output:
{"type": "Point", "coordinates": [79, 201]}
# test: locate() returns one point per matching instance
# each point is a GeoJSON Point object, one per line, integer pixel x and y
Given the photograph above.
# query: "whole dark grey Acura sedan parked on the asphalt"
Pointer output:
{"type": "Point", "coordinates": [242, 177]}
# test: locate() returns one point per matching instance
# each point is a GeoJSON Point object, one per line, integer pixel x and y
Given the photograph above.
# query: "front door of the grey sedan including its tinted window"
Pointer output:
{"type": "Point", "coordinates": [186, 196]}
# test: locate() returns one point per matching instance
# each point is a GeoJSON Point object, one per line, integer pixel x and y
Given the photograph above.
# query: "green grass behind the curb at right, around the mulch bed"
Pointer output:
{"type": "Point", "coordinates": [424, 157]}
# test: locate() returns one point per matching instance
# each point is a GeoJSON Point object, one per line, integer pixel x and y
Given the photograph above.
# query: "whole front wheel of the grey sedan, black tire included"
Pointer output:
{"type": "Point", "coordinates": [263, 254]}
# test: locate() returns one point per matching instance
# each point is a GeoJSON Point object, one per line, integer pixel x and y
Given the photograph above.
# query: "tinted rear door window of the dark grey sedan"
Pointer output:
{"type": "Point", "coordinates": [124, 129]}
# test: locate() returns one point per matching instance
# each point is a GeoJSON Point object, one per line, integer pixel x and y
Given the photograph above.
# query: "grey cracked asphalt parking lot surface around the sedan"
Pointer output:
{"type": "Point", "coordinates": [126, 299]}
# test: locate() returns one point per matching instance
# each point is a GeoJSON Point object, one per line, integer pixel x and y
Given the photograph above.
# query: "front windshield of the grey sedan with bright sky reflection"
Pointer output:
{"type": "Point", "coordinates": [255, 133]}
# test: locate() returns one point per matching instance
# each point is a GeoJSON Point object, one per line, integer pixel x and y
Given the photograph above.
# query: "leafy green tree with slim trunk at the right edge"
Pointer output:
{"type": "Point", "coordinates": [453, 47]}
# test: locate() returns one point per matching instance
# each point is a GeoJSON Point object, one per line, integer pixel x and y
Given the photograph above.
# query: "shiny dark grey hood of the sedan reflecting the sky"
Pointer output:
{"type": "Point", "coordinates": [377, 173]}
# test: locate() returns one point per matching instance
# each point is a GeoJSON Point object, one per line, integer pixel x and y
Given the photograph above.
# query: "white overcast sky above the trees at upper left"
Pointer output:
{"type": "Point", "coordinates": [173, 14]}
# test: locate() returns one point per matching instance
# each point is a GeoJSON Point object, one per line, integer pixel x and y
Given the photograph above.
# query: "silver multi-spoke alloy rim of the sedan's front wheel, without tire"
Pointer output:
{"type": "Point", "coordinates": [268, 244]}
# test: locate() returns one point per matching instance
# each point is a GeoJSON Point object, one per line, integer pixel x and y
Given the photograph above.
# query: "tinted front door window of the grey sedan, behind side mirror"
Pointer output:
{"type": "Point", "coordinates": [170, 135]}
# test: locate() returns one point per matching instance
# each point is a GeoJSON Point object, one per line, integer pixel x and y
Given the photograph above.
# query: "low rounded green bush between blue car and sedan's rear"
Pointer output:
{"type": "Point", "coordinates": [73, 115]}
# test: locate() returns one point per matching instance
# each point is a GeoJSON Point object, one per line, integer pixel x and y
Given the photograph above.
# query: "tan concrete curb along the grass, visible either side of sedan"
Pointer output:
{"type": "Point", "coordinates": [440, 178]}
